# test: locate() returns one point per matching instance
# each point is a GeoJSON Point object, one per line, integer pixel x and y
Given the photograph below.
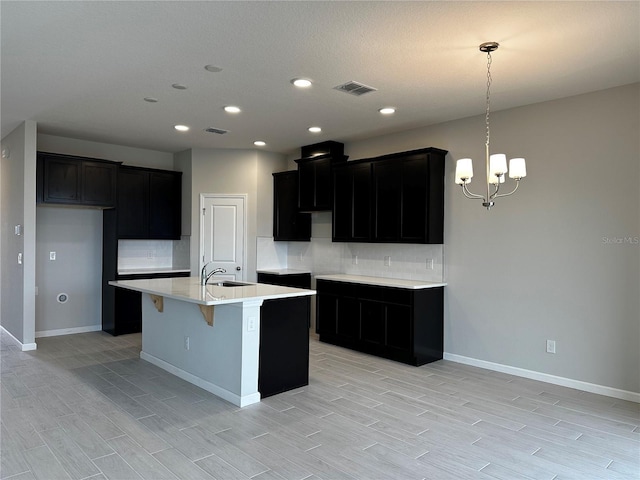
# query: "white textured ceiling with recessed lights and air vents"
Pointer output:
{"type": "Point", "coordinates": [82, 69]}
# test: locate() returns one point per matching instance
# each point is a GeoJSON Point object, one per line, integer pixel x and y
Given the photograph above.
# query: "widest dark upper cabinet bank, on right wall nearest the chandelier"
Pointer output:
{"type": "Point", "coordinates": [397, 198]}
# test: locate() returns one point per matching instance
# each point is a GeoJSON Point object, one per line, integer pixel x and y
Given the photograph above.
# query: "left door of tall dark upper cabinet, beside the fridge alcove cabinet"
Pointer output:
{"type": "Point", "coordinates": [133, 203]}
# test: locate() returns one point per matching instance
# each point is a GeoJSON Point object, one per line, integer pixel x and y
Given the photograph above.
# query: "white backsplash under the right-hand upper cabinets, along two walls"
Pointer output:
{"type": "Point", "coordinates": [322, 256]}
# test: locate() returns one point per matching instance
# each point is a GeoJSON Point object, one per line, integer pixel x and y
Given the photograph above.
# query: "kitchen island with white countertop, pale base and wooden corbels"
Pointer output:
{"type": "Point", "coordinates": [210, 335]}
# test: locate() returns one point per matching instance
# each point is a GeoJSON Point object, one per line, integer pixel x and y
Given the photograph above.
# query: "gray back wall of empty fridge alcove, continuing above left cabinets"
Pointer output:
{"type": "Point", "coordinates": [75, 234]}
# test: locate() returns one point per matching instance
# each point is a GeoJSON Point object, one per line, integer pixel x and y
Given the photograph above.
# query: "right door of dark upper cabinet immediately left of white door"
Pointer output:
{"type": "Point", "coordinates": [165, 199]}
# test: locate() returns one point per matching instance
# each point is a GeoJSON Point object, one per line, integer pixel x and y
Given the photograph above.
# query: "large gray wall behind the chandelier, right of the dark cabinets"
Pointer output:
{"type": "Point", "coordinates": [544, 263]}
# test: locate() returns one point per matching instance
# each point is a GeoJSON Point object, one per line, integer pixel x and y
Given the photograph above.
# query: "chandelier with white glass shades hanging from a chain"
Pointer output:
{"type": "Point", "coordinates": [496, 164]}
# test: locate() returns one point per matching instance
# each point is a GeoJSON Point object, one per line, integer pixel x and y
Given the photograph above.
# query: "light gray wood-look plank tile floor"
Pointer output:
{"type": "Point", "coordinates": [86, 407]}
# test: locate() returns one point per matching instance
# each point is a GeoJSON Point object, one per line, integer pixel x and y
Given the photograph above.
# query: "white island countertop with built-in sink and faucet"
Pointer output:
{"type": "Point", "coordinates": [188, 289]}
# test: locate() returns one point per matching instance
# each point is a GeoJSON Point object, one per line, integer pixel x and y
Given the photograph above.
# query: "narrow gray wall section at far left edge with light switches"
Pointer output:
{"type": "Point", "coordinates": [18, 207]}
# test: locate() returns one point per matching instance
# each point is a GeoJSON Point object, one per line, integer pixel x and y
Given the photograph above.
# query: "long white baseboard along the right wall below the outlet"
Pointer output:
{"type": "Point", "coordinates": [545, 377]}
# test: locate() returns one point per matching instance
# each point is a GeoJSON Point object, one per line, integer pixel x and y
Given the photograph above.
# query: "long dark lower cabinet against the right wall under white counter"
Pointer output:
{"type": "Point", "coordinates": [400, 324]}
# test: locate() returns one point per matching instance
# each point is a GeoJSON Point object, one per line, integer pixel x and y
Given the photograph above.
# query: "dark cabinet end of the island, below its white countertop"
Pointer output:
{"type": "Point", "coordinates": [284, 345]}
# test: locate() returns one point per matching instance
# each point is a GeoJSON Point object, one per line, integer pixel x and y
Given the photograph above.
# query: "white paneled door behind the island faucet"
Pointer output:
{"type": "Point", "coordinates": [222, 234]}
